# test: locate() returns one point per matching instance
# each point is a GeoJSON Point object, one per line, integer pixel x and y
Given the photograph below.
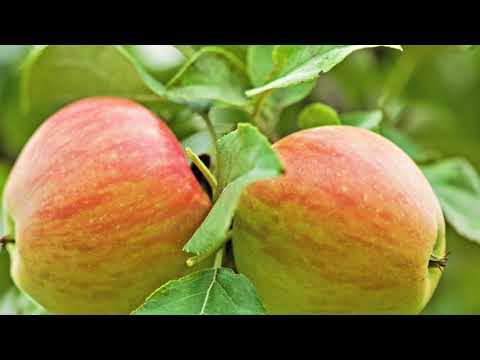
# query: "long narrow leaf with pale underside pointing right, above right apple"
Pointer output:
{"type": "Point", "coordinates": [297, 64]}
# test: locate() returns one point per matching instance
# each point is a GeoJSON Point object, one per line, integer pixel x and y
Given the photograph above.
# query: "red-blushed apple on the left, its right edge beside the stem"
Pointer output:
{"type": "Point", "coordinates": [101, 200]}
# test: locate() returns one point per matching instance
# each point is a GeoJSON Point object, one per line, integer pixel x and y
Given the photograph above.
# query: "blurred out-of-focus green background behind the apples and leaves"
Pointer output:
{"type": "Point", "coordinates": [431, 94]}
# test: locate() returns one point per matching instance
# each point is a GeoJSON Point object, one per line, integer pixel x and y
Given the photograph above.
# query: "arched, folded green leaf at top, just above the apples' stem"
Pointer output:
{"type": "Point", "coordinates": [211, 74]}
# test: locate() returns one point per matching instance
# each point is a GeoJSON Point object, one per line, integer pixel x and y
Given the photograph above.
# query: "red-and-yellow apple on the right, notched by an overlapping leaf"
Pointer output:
{"type": "Point", "coordinates": [349, 228]}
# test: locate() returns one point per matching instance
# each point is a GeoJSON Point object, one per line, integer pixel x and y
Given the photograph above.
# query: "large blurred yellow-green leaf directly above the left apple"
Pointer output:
{"type": "Point", "coordinates": [56, 75]}
